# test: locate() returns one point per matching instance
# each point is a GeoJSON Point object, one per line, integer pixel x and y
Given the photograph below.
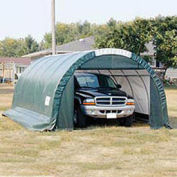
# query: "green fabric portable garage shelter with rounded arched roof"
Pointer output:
{"type": "Point", "coordinates": [44, 94]}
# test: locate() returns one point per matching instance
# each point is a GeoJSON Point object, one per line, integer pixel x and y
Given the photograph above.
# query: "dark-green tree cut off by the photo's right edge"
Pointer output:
{"type": "Point", "coordinates": [165, 40]}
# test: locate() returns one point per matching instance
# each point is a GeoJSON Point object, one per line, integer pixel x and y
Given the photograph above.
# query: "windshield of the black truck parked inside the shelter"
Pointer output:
{"type": "Point", "coordinates": [95, 81]}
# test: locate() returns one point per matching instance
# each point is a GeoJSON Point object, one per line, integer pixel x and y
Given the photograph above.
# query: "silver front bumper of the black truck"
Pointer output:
{"type": "Point", "coordinates": [102, 111]}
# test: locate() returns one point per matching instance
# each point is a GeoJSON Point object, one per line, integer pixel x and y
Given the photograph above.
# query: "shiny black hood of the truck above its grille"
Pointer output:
{"type": "Point", "coordinates": [101, 92]}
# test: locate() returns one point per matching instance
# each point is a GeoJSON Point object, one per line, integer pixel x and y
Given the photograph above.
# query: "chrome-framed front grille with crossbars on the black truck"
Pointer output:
{"type": "Point", "coordinates": [110, 101]}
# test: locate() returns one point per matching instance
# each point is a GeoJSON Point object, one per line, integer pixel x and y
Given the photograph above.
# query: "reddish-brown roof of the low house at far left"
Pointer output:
{"type": "Point", "coordinates": [22, 61]}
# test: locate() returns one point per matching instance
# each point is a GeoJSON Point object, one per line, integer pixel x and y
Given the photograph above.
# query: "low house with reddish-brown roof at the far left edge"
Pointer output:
{"type": "Point", "coordinates": [12, 67]}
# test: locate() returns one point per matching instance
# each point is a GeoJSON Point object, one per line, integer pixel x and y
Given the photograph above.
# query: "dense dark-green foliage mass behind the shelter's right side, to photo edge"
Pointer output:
{"type": "Point", "coordinates": [133, 36]}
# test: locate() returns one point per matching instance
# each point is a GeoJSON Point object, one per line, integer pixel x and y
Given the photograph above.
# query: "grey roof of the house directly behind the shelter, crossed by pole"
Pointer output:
{"type": "Point", "coordinates": [77, 45]}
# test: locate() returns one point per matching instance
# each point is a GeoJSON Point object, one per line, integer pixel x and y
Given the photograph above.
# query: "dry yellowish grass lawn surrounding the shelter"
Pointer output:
{"type": "Point", "coordinates": [110, 151]}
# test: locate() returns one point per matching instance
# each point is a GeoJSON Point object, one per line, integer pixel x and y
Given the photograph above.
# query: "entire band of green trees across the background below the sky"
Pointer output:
{"type": "Point", "coordinates": [132, 36]}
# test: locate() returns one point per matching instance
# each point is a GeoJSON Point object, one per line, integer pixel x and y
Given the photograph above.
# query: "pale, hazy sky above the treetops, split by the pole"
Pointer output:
{"type": "Point", "coordinates": [19, 18]}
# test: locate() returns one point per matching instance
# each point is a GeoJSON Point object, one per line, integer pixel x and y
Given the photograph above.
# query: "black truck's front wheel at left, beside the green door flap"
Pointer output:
{"type": "Point", "coordinates": [79, 119]}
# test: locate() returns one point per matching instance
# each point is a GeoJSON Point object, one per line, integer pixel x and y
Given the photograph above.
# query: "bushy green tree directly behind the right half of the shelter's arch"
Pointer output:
{"type": "Point", "coordinates": [130, 36]}
